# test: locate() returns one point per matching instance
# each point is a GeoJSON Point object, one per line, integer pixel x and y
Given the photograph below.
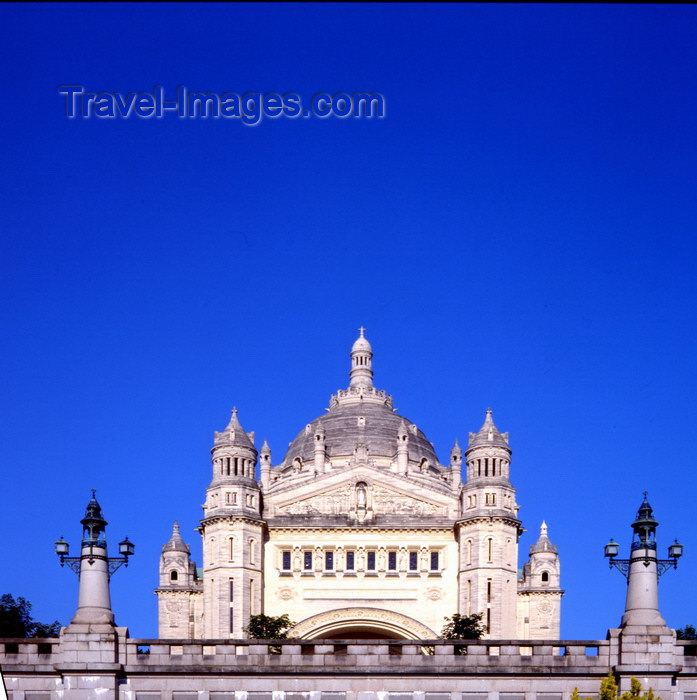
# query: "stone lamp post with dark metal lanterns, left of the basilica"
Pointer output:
{"type": "Point", "coordinates": [94, 567]}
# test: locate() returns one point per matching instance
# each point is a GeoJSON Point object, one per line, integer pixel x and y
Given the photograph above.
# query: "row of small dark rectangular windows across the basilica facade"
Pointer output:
{"type": "Point", "coordinates": [361, 559]}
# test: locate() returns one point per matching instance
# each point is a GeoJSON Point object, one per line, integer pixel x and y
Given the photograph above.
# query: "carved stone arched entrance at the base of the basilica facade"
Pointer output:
{"type": "Point", "coordinates": [361, 623]}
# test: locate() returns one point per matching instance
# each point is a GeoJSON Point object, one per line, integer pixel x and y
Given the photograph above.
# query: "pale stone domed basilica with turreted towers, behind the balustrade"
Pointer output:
{"type": "Point", "coordinates": [360, 532]}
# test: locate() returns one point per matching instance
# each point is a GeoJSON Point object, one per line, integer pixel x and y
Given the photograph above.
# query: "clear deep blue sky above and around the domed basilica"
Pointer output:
{"type": "Point", "coordinates": [517, 232]}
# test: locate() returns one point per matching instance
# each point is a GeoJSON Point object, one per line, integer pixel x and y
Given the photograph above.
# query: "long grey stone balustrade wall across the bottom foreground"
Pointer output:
{"type": "Point", "coordinates": [112, 666]}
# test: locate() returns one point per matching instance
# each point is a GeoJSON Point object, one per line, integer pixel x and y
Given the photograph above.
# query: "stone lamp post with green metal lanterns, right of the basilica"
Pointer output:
{"type": "Point", "coordinates": [643, 569]}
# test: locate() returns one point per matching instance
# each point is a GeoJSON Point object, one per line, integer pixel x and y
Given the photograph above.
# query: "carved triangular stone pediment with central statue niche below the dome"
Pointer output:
{"type": "Point", "coordinates": [365, 489]}
